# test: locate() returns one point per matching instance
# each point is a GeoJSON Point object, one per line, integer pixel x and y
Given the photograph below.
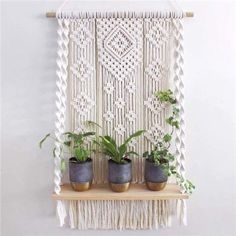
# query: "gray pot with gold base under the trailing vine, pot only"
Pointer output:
{"type": "Point", "coordinates": [154, 176]}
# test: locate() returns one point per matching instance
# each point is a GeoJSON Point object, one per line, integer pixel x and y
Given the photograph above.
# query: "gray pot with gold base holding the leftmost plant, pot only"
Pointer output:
{"type": "Point", "coordinates": [81, 174]}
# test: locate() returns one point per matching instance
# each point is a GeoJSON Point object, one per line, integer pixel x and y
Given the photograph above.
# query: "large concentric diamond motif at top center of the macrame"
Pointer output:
{"type": "Point", "coordinates": [119, 42]}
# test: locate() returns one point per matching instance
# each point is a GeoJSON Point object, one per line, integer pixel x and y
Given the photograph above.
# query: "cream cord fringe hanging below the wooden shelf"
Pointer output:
{"type": "Point", "coordinates": [120, 215]}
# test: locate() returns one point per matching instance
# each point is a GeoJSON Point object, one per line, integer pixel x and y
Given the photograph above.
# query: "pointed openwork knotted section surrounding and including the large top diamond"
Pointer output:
{"type": "Point", "coordinates": [119, 43]}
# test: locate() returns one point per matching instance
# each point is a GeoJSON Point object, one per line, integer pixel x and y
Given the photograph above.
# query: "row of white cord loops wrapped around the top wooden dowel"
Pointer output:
{"type": "Point", "coordinates": [125, 14]}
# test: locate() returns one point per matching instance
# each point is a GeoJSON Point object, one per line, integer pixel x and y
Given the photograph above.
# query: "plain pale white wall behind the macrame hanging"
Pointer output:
{"type": "Point", "coordinates": [28, 87]}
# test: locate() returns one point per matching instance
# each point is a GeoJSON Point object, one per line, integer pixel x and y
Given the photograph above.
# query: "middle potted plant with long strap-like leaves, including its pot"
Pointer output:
{"type": "Point", "coordinates": [119, 164]}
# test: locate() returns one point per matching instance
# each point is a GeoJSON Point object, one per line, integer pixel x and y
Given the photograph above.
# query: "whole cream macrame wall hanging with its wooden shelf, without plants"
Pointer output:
{"type": "Point", "coordinates": [109, 66]}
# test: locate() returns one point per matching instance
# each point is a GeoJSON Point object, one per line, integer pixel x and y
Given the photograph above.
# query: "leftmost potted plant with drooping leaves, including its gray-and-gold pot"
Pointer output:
{"type": "Point", "coordinates": [80, 164]}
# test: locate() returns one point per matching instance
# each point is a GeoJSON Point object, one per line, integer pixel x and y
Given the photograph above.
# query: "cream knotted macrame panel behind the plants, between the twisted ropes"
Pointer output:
{"type": "Point", "coordinates": [115, 67]}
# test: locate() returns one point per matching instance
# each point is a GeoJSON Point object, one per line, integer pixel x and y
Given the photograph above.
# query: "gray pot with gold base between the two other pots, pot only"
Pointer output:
{"type": "Point", "coordinates": [119, 175]}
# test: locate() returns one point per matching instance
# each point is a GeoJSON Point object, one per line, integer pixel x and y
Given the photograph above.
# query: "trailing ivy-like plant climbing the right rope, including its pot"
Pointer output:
{"type": "Point", "coordinates": [160, 162]}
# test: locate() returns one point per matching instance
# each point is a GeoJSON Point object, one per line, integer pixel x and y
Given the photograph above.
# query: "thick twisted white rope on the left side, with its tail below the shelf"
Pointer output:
{"type": "Point", "coordinates": [62, 64]}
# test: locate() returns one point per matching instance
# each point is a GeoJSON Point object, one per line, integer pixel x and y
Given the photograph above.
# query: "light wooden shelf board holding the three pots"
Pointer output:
{"type": "Point", "coordinates": [136, 192]}
